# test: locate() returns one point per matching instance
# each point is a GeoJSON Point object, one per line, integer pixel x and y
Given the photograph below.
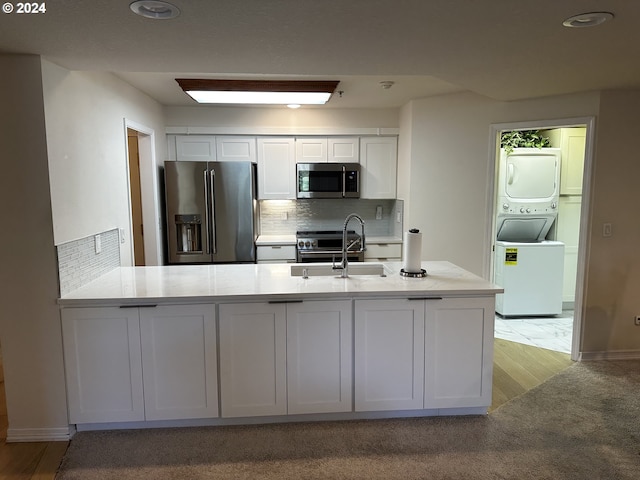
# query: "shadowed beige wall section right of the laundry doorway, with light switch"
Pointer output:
{"type": "Point", "coordinates": [613, 273]}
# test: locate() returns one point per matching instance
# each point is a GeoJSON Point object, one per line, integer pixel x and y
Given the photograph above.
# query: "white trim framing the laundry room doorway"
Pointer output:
{"type": "Point", "coordinates": [585, 209]}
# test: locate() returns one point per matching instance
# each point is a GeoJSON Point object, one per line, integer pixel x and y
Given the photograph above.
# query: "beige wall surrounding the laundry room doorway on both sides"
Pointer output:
{"type": "Point", "coordinates": [450, 145]}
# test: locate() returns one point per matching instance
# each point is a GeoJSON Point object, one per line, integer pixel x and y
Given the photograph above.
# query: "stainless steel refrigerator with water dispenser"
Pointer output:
{"type": "Point", "coordinates": [211, 212]}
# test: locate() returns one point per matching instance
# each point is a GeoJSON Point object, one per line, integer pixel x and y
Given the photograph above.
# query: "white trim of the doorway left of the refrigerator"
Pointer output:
{"type": "Point", "coordinates": [149, 192]}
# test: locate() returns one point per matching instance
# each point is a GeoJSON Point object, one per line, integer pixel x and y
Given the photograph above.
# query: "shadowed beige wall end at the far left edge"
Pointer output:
{"type": "Point", "coordinates": [29, 319]}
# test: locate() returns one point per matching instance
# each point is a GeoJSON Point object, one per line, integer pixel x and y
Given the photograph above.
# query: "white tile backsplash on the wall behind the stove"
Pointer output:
{"type": "Point", "coordinates": [285, 217]}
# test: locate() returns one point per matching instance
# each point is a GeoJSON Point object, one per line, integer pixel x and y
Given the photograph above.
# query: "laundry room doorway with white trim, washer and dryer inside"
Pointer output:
{"type": "Point", "coordinates": [538, 233]}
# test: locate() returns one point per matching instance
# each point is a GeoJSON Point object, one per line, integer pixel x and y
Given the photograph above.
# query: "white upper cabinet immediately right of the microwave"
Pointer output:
{"type": "Point", "coordinates": [378, 157]}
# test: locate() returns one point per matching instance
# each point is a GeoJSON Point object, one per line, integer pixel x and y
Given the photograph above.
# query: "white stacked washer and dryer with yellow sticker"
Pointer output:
{"type": "Point", "coordinates": [528, 267]}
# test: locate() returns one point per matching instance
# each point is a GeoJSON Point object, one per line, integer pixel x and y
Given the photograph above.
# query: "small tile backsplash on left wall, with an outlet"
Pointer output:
{"type": "Point", "coordinates": [78, 262]}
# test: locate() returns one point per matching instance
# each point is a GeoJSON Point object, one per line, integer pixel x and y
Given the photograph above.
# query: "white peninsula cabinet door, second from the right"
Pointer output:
{"type": "Point", "coordinates": [389, 354]}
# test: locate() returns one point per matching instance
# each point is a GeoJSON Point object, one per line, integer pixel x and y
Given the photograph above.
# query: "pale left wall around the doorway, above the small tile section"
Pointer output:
{"type": "Point", "coordinates": [87, 146]}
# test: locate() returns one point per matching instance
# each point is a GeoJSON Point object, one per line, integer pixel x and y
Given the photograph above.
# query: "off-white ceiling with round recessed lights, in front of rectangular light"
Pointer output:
{"type": "Point", "coordinates": [504, 49]}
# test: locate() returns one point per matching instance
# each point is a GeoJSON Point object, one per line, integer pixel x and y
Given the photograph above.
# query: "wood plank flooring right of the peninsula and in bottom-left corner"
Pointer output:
{"type": "Point", "coordinates": [517, 368]}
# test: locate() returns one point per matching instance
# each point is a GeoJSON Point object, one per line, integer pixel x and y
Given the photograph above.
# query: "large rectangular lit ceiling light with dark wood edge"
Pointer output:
{"type": "Point", "coordinates": [259, 92]}
